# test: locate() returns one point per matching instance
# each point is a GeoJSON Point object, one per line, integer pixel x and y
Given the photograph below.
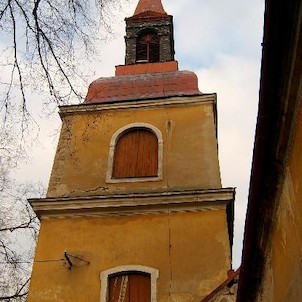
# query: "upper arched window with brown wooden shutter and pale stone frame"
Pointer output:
{"type": "Point", "coordinates": [135, 154]}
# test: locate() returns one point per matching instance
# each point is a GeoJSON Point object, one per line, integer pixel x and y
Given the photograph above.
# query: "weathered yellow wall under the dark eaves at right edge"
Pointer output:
{"type": "Point", "coordinates": [283, 275]}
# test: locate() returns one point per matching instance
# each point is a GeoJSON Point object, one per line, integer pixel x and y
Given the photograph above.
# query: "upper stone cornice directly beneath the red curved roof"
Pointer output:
{"type": "Point", "coordinates": [130, 105]}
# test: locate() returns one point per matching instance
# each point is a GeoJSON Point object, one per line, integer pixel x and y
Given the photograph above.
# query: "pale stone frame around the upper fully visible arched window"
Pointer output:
{"type": "Point", "coordinates": [113, 141]}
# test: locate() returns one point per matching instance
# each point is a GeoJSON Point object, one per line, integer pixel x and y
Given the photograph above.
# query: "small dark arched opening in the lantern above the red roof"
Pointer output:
{"type": "Point", "coordinates": [147, 47]}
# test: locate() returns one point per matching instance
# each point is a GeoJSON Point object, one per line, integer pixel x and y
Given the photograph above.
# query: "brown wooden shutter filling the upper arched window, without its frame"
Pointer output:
{"type": "Point", "coordinates": [136, 154]}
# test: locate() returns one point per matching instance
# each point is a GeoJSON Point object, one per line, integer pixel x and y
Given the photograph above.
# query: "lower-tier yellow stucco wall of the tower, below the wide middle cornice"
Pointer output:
{"type": "Point", "coordinates": [190, 250]}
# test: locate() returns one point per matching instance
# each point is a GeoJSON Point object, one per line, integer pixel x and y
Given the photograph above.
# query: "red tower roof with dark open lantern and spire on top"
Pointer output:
{"type": "Point", "coordinates": [150, 70]}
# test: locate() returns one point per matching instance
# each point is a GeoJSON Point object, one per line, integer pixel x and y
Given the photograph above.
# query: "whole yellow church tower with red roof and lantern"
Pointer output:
{"type": "Point", "coordinates": [135, 210]}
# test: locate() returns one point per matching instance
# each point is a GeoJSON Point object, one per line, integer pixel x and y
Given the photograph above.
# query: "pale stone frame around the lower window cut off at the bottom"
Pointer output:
{"type": "Point", "coordinates": [154, 273]}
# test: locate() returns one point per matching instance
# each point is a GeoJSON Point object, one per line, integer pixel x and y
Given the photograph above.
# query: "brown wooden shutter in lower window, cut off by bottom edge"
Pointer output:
{"type": "Point", "coordinates": [130, 287]}
